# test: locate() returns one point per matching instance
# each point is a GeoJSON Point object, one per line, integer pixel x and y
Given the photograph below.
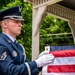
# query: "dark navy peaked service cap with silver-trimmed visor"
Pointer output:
{"type": "Point", "coordinates": [12, 13]}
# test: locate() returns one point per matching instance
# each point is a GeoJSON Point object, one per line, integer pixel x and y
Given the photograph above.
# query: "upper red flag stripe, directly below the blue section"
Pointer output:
{"type": "Point", "coordinates": [63, 53]}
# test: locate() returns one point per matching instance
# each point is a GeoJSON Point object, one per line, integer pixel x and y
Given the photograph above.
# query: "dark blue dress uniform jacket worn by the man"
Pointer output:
{"type": "Point", "coordinates": [13, 60]}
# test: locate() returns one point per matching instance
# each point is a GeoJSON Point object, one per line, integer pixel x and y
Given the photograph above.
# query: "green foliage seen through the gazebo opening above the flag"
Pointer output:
{"type": "Point", "coordinates": [52, 25]}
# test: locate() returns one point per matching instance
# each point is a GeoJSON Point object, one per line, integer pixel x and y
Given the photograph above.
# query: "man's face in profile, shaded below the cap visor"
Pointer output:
{"type": "Point", "coordinates": [13, 27]}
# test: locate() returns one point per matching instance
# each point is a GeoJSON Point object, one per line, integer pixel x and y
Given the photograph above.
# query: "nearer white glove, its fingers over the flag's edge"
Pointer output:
{"type": "Point", "coordinates": [44, 60]}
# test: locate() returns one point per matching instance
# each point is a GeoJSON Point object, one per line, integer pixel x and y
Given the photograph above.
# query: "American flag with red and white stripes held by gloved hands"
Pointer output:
{"type": "Point", "coordinates": [63, 63]}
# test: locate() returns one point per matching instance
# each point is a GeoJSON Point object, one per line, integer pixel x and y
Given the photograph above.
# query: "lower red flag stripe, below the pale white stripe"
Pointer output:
{"type": "Point", "coordinates": [61, 68]}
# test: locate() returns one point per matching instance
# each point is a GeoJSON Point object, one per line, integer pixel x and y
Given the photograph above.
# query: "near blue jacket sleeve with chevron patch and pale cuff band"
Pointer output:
{"type": "Point", "coordinates": [7, 66]}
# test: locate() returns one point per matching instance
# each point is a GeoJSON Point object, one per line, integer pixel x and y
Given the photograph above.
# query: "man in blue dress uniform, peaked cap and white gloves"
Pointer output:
{"type": "Point", "coordinates": [13, 60]}
